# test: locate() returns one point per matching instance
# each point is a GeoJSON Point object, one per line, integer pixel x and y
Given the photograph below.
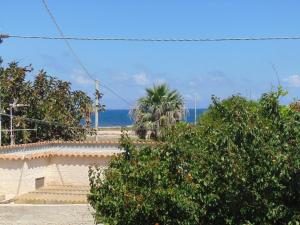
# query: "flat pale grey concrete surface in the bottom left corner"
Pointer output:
{"type": "Point", "coordinates": [15, 214]}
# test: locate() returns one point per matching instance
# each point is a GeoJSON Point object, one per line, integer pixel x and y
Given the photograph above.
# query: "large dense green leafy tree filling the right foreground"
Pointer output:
{"type": "Point", "coordinates": [239, 165]}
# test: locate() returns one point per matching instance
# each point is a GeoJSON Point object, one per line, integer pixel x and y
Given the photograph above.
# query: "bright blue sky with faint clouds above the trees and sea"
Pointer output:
{"type": "Point", "coordinates": [199, 69]}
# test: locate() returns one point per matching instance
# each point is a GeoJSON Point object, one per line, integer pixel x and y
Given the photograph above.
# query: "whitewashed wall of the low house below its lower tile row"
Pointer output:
{"type": "Point", "coordinates": [18, 176]}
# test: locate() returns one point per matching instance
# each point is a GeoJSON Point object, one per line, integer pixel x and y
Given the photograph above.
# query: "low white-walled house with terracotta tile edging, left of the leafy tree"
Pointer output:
{"type": "Point", "coordinates": [27, 167]}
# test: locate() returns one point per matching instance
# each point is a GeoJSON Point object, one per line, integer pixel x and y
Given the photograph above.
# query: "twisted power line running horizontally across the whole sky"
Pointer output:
{"type": "Point", "coordinates": [126, 39]}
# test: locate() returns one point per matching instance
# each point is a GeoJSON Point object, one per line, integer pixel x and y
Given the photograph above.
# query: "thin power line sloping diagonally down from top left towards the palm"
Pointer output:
{"type": "Point", "coordinates": [76, 56]}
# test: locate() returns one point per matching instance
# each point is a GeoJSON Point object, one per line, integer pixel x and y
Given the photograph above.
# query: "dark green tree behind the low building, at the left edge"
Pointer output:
{"type": "Point", "coordinates": [48, 99]}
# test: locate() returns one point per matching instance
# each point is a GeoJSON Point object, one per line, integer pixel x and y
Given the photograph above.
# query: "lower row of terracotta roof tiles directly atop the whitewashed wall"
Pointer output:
{"type": "Point", "coordinates": [57, 154]}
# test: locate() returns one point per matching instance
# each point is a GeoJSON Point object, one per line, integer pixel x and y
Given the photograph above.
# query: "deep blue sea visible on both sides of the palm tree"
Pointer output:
{"type": "Point", "coordinates": [121, 117]}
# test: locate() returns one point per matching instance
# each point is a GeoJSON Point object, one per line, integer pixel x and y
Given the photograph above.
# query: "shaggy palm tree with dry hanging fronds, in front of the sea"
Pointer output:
{"type": "Point", "coordinates": [160, 108]}
